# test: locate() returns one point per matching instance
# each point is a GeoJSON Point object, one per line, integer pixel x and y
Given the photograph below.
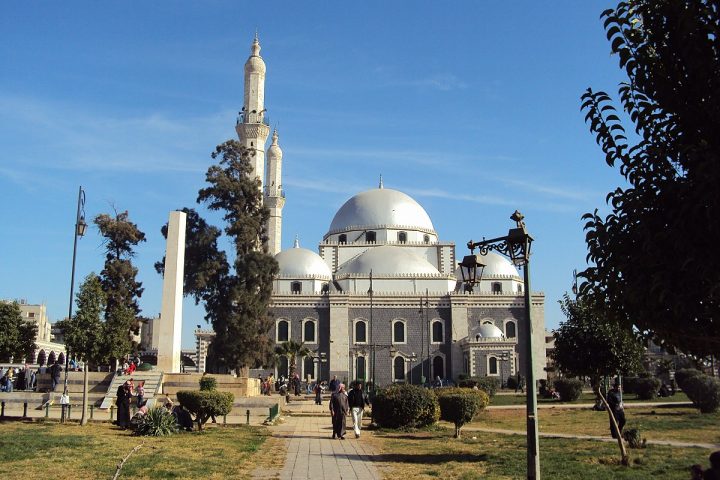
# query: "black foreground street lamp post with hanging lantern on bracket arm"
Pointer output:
{"type": "Point", "coordinates": [516, 245]}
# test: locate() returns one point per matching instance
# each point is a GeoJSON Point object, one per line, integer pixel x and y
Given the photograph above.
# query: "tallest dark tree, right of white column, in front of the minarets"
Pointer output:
{"type": "Point", "coordinates": [236, 298]}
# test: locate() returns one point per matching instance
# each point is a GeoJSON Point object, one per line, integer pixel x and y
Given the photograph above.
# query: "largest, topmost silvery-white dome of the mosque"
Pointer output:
{"type": "Point", "coordinates": [381, 208]}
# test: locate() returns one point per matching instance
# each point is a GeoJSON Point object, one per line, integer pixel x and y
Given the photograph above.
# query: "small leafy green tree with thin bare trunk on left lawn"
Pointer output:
{"type": "Point", "coordinates": [84, 333]}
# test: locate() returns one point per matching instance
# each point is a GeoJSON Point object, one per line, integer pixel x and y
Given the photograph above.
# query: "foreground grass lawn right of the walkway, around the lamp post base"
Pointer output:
{"type": "Point", "coordinates": [435, 454]}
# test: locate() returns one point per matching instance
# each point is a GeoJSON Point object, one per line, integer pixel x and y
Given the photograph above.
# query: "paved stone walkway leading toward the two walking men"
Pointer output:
{"type": "Point", "coordinates": [313, 454]}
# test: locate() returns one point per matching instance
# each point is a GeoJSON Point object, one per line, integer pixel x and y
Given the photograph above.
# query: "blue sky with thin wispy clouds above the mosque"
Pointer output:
{"type": "Point", "coordinates": [470, 107]}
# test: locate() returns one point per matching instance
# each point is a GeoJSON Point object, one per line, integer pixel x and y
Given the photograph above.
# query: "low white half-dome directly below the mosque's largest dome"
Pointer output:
{"type": "Point", "coordinates": [388, 260]}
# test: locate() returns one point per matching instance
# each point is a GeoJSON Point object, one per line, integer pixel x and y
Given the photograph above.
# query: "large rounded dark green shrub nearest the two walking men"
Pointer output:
{"type": "Point", "coordinates": [400, 406]}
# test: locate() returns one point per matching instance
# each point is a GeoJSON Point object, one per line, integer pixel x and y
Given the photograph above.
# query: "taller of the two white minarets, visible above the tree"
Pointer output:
{"type": "Point", "coordinates": [251, 126]}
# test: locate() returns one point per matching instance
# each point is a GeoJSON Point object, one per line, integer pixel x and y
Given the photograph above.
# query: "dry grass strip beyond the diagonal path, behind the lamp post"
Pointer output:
{"type": "Point", "coordinates": [683, 424]}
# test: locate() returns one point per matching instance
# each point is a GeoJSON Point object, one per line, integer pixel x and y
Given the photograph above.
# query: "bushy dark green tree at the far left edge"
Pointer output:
{"type": "Point", "coordinates": [17, 336]}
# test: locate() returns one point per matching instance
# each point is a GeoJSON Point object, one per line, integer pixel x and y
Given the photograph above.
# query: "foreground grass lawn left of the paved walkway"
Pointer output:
{"type": "Point", "coordinates": [53, 451]}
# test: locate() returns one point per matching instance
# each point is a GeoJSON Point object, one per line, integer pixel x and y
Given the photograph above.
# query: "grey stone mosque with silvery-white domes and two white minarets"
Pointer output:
{"type": "Point", "coordinates": [381, 299]}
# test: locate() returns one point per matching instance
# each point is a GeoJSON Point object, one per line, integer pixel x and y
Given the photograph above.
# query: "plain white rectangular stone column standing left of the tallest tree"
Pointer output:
{"type": "Point", "coordinates": [170, 322]}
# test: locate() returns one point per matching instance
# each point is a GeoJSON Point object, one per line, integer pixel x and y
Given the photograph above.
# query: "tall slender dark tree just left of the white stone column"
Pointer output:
{"type": "Point", "coordinates": [119, 284]}
